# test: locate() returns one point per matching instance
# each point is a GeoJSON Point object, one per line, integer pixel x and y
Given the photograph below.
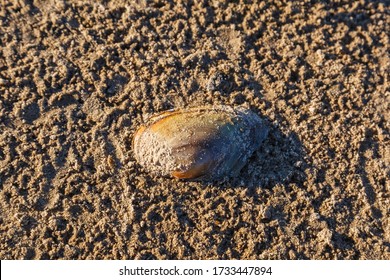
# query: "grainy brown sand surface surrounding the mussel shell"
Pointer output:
{"type": "Point", "coordinates": [78, 77]}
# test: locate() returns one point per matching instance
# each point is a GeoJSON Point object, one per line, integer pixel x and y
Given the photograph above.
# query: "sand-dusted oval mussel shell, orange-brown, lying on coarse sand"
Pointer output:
{"type": "Point", "coordinates": [207, 143]}
